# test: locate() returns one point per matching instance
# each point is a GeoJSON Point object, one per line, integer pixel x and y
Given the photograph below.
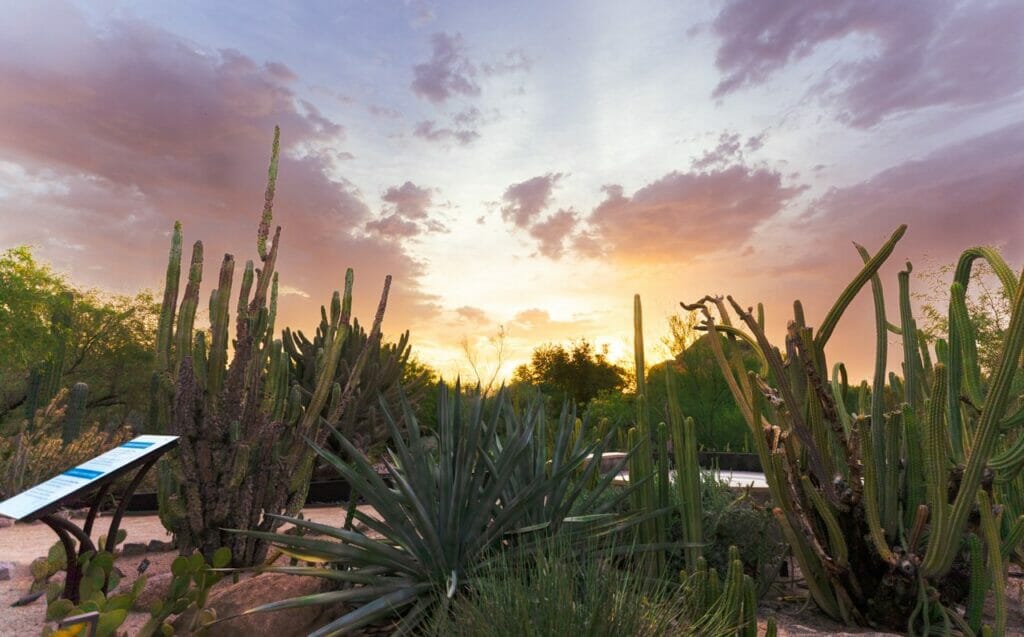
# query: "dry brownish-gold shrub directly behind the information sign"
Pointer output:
{"type": "Point", "coordinates": [37, 453]}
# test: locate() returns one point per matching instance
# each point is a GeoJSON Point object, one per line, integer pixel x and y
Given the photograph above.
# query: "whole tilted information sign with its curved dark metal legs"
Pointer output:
{"type": "Point", "coordinates": [42, 502]}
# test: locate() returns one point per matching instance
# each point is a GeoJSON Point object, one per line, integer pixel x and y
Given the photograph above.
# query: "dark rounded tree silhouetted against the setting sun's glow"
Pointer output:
{"type": "Point", "coordinates": [579, 373]}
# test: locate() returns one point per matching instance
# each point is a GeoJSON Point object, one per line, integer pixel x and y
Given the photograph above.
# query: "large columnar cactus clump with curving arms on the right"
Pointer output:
{"type": "Point", "coordinates": [878, 506]}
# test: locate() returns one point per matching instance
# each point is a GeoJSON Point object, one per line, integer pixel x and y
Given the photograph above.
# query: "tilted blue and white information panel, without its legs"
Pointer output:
{"type": "Point", "coordinates": [80, 478]}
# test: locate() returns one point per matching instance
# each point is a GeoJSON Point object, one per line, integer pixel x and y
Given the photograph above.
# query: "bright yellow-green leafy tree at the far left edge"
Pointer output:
{"type": "Point", "coordinates": [93, 337]}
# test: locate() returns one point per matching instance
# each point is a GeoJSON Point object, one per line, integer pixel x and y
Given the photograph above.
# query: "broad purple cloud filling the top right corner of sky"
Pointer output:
{"type": "Point", "coordinates": [910, 56]}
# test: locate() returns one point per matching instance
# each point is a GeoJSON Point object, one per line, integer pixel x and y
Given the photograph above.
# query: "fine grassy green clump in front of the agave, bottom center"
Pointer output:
{"type": "Point", "coordinates": [554, 591]}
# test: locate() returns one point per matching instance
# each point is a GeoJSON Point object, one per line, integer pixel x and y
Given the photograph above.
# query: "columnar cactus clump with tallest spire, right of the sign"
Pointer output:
{"type": "Point", "coordinates": [244, 426]}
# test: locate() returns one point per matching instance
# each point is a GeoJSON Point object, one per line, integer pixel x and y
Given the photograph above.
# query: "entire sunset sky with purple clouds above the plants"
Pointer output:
{"type": "Point", "coordinates": [524, 168]}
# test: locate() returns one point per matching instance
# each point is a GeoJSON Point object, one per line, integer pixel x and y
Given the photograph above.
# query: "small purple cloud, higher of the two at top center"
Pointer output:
{"type": "Point", "coordinates": [448, 73]}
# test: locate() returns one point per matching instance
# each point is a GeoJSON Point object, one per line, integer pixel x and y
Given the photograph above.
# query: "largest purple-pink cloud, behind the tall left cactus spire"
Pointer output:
{"type": "Point", "coordinates": [136, 128]}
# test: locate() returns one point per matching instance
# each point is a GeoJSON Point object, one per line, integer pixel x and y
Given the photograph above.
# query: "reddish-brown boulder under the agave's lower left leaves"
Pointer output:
{"type": "Point", "coordinates": [237, 599]}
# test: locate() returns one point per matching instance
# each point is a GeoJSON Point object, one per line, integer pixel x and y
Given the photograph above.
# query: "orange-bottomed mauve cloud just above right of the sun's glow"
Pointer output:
{"type": "Point", "coordinates": [686, 215]}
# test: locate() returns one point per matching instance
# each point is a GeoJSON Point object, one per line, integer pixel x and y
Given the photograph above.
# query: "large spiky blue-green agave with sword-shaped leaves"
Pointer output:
{"type": "Point", "coordinates": [444, 508]}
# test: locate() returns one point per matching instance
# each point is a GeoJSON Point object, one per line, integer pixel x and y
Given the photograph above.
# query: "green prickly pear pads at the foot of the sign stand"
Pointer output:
{"type": "Point", "coordinates": [99, 576]}
